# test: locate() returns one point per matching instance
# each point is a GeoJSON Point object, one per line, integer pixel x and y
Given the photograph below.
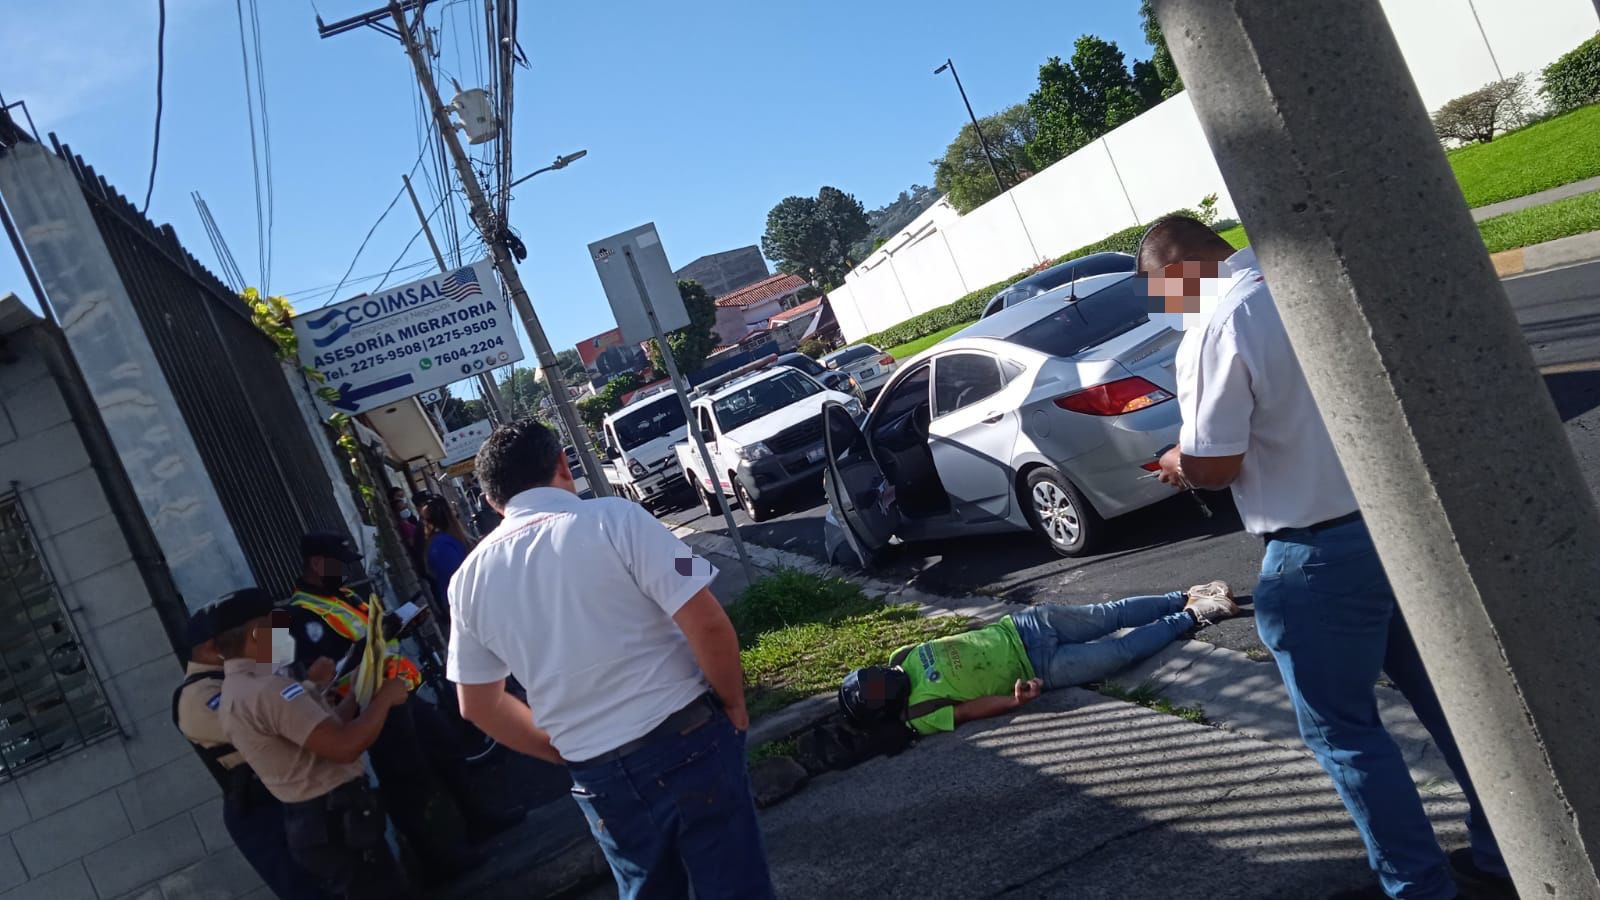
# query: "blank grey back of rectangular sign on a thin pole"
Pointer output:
{"type": "Point", "coordinates": [650, 270]}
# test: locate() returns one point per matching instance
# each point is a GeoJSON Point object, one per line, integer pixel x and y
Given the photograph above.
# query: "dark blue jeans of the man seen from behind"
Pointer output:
{"type": "Point", "coordinates": [679, 816]}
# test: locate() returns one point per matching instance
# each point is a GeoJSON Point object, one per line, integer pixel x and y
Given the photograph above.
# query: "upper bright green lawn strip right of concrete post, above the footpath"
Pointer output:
{"type": "Point", "coordinates": [1538, 158]}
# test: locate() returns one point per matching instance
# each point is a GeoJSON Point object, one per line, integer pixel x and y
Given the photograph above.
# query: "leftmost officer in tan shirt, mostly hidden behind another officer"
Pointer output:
{"type": "Point", "coordinates": [252, 816]}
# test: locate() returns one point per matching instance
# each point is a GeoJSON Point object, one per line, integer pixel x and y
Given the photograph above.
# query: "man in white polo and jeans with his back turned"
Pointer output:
{"type": "Point", "coordinates": [631, 669]}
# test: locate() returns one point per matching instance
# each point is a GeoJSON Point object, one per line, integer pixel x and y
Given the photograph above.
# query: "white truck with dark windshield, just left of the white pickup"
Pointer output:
{"type": "Point", "coordinates": [639, 449]}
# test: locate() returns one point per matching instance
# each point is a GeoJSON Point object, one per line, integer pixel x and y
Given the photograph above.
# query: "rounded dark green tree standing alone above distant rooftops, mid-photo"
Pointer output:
{"type": "Point", "coordinates": [812, 236]}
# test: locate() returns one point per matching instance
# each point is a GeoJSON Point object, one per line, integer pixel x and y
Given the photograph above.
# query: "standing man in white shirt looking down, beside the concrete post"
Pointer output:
{"type": "Point", "coordinates": [1324, 605]}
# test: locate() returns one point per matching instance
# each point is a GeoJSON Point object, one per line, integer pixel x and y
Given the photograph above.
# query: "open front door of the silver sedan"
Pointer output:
{"type": "Point", "coordinates": [863, 513]}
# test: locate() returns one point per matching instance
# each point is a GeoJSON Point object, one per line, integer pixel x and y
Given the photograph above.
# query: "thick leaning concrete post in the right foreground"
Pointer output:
{"type": "Point", "coordinates": [1442, 424]}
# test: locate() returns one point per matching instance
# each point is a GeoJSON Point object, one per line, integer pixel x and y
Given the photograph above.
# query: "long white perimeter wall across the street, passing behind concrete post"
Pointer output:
{"type": "Point", "coordinates": [1161, 163]}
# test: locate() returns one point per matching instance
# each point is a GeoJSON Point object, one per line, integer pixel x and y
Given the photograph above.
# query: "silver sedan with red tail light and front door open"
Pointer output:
{"type": "Point", "coordinates": [1044, 417]}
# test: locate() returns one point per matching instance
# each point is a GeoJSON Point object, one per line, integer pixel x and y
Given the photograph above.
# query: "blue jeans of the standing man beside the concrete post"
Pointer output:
{"type": "Point", "coordinates": [1326, 609]}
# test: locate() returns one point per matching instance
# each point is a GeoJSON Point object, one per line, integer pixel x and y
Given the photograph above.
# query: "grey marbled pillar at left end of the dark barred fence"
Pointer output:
{"type": "Point", "coordinates": [124, 376]}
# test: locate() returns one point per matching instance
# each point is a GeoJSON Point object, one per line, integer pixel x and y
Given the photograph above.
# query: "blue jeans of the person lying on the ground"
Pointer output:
{"type": "Point", "coordinates": [1062, 640]}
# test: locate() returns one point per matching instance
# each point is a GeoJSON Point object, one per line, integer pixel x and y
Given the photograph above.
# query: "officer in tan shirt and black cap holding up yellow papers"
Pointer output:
{"type": "Point", "coordinates": [306, 755]}
